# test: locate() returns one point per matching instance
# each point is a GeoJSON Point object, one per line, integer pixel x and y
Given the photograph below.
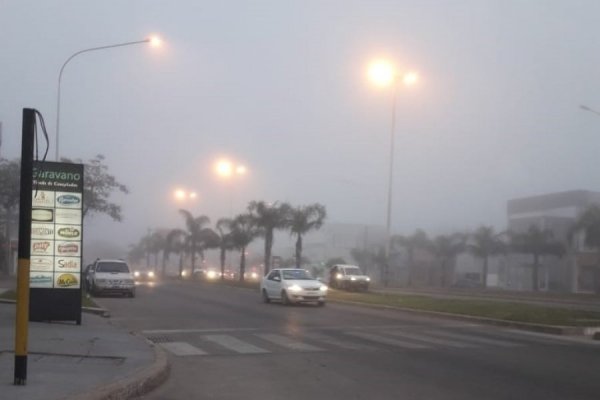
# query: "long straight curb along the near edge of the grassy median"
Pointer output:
{"type": "Point", "coordinates": [551, 329]}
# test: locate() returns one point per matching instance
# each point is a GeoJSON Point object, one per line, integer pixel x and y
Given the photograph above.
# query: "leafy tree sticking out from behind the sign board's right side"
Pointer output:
{"type": "Point", "coordinates": [98, 187]}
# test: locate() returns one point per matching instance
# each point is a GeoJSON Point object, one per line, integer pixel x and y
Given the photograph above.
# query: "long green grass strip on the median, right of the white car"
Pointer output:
{"type": "Point", "coordinates": [502, 310]}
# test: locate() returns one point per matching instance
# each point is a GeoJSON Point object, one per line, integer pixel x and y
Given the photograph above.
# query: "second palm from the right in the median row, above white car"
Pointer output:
{"type": "Point", "coordinates": [268, 217]}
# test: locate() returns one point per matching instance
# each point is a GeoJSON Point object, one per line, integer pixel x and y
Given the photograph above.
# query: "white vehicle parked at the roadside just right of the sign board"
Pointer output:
{"type": "Point", "coordinates": [110, 277]}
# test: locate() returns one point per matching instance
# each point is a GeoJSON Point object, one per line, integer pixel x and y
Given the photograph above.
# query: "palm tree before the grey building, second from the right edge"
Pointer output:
{"type": "Point", "coordinates": [538, 243]}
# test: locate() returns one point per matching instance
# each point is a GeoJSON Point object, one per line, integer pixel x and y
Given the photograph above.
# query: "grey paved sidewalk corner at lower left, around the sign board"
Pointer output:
{"type": "Point", "coordinates": [91, 361]}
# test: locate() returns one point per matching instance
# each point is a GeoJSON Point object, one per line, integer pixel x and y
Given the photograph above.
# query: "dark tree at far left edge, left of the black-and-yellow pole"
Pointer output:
{"type": "Point", "coordinates": [10, 188]}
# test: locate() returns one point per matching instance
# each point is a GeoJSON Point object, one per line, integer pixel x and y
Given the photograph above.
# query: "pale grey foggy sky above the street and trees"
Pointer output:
{"type": "Point", "coordinates": [281, 86]}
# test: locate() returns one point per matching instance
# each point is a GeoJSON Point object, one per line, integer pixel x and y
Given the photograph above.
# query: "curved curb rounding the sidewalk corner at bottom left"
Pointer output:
{"type": "Point", "coordinates": [135, 385]}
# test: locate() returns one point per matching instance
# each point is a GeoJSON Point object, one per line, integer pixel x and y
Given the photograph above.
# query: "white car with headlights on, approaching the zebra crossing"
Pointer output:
{"type": "Point", "coordinates": [292, 285]}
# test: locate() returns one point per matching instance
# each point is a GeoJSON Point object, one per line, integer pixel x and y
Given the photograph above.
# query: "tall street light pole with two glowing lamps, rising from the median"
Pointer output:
{"type": "Point", "coordinates": [382, 73]}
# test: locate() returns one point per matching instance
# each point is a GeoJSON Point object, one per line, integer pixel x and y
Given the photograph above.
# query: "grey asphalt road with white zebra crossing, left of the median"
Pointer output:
{"type": "Point", "coordinates": [224, 343]}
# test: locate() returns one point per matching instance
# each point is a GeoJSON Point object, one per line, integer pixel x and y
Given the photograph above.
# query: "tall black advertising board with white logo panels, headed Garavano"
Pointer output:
{"type": "Point", "coordinates": [56, 242]}
